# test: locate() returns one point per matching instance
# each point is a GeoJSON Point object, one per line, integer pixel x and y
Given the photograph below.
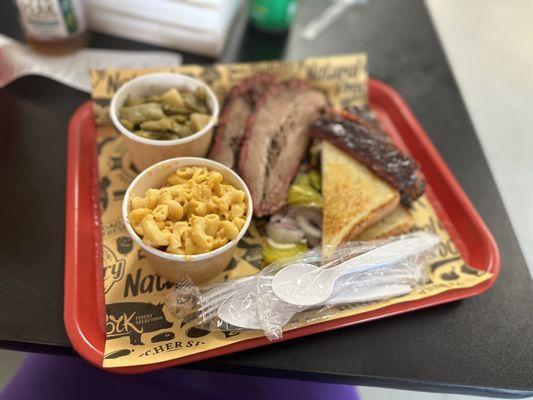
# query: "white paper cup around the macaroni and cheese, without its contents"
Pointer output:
{"type": "Point", "coordinates": [200, 267]}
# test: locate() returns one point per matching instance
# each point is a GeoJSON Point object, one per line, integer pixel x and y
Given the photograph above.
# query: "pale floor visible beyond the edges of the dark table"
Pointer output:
{"type": "Point", "coordinates": [492, 61]}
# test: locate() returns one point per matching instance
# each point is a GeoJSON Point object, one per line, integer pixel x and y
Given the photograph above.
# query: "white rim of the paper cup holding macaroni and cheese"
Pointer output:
{"type": "Point", "coordinates": [191, 162]}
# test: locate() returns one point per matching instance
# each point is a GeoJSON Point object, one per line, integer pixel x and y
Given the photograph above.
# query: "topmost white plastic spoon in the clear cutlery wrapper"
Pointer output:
{"type": "Point", "coordinates": [306, 284]}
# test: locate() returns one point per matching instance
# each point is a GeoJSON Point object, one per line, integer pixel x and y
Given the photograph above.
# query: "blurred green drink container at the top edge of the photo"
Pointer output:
{"type": "Point", "coordinates": [272, 15]}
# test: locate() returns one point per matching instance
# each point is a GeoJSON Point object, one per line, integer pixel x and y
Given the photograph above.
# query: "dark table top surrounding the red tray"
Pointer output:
{"type": "Point", "coordinates": [481, 345]}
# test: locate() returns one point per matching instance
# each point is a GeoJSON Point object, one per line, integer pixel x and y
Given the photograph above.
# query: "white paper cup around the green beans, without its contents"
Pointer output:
{"type": "Point", "coordinates": [145, 152]}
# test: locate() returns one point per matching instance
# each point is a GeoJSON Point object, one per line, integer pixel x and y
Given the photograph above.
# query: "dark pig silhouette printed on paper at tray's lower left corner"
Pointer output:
{"type": "Point", "coordinates": [132, 319]}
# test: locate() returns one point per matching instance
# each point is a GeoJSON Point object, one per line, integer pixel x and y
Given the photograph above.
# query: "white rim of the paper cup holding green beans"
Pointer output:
{"type": "Point", "coordinates": [113, 109]}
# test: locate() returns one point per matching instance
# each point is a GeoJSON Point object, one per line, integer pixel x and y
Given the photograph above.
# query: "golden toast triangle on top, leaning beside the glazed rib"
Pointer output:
{"type": "Point", "coordinates": [354, 198]}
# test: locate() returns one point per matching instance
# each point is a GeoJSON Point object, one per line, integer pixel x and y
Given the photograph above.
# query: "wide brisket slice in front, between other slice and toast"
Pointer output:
{"type": "Point", "coordinates": [275, 142]}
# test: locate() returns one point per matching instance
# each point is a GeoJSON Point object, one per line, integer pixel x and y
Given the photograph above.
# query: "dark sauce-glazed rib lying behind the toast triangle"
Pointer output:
{"type": "Point", "coordinates": [375, 151]}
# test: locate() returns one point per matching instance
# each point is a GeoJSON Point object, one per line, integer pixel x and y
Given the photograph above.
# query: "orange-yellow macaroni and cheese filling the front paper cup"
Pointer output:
{"type": "Point", "coordinates": [197, 212]}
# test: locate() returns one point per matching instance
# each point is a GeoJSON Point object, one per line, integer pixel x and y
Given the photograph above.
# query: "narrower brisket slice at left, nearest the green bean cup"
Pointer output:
{"type": "Point", "coordinates": [232, 122]}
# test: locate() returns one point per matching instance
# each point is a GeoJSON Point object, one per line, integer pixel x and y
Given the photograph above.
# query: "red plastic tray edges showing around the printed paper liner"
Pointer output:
{"type": "Point", "coordinates": [84, 311]}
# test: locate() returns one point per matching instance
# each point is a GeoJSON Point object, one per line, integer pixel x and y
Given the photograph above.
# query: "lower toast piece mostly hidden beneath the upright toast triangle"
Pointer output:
{"type": "Point", "coordinates": [398, 222]}
